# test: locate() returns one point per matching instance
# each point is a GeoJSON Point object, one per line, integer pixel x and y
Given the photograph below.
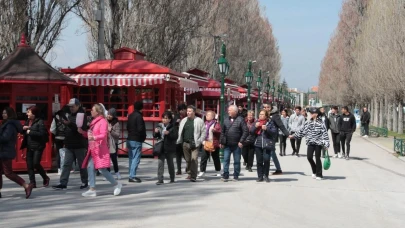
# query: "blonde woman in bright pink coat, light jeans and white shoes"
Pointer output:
{"type": "Point", "coordinates": [98, 153]}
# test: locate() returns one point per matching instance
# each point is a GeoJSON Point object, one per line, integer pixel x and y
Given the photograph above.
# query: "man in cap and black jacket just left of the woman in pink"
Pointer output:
{"type": "Point", "coordinates": [75, 145]}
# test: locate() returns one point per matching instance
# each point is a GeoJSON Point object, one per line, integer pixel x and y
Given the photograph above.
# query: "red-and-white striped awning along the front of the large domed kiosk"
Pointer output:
{"type": "Point", "coordinates": [119, 79]}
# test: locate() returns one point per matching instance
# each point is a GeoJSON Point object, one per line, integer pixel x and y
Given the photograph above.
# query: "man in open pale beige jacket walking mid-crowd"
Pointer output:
{"type": "Point", "coordinates": [191, 134]}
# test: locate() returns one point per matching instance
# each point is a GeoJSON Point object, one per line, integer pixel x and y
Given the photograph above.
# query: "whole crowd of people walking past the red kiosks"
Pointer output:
{"type": "Point", "coordinates": [92, 142]}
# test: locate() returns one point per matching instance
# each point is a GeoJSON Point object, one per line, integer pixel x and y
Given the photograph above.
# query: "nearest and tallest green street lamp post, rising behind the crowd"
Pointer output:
{"type": "Point", "coordinates": [224, 70]}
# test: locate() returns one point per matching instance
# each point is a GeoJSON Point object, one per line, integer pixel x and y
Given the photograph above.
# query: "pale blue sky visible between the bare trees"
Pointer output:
{"type": "Point", "coordinates": [302, 27]}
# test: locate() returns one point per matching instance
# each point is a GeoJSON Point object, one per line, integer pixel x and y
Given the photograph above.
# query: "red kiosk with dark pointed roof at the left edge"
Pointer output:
{"type": "Point", "coordinates": [26, 80]}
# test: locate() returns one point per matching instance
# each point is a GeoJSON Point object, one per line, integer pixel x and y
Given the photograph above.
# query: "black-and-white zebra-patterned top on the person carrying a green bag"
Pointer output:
{"type": "Point", "coordinates": [315, 132]}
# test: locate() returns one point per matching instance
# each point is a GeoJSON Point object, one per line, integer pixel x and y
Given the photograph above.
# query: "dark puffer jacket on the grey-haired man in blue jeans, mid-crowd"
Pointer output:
{"type": "Point", "coordinates": [234, 132]}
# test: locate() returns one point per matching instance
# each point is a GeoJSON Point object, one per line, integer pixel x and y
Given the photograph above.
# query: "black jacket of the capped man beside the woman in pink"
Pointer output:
{"type": "Point", "coordinates": [73, 139]}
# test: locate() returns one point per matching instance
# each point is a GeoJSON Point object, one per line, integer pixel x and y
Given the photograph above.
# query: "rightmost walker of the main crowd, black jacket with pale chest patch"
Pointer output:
{"type": "Point", "coordinates": [347, 126]}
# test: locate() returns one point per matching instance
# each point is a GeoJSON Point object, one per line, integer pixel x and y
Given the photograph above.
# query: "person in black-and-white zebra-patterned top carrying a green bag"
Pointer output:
{"type": "Point", "coordinates": [317, 138]}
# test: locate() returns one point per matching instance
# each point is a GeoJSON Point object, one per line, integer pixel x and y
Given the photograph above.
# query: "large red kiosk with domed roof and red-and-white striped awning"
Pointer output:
{"type": "Point", "coordinates": [127, 78]}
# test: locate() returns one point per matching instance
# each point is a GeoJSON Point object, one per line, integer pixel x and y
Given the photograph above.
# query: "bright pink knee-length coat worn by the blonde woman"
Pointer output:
{"type": "Point", "coordinates": [98, 148]}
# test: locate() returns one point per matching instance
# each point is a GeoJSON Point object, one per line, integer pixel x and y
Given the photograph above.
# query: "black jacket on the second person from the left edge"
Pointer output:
{"type": "Point", "coordinates": [36, 138]}
